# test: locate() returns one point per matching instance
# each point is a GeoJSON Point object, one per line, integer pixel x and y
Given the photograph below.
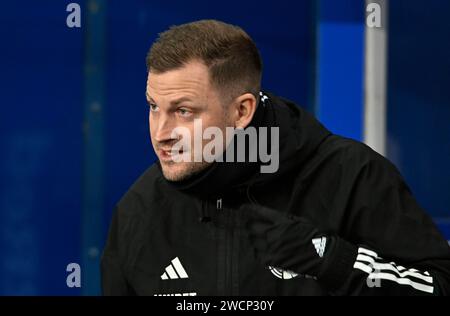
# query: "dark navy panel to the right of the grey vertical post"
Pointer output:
{"type": "Point", "coordinates": [419, 100]}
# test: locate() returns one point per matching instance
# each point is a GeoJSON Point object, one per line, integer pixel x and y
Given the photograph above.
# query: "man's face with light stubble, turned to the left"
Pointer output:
{"type": "Point", "coordinates": [176, 98]}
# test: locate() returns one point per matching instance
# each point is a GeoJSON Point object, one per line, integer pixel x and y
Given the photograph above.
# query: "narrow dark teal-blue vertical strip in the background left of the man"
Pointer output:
{"type": "Point", "coordinates": [95, 107]}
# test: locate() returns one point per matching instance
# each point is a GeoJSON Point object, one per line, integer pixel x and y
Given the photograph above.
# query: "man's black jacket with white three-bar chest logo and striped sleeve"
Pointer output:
{"type": "Point", "coordinates": [190, 238]}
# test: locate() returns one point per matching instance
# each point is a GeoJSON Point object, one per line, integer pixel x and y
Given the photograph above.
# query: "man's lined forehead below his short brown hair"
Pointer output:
{"type": "Point", "coordinates": [192, 79]}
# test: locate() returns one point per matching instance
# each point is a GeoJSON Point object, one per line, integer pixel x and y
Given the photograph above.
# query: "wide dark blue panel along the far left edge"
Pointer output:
{"type": "Point", "coordinates": [40, 143]}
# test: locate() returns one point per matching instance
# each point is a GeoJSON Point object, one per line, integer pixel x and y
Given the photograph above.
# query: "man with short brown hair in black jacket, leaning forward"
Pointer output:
{"type": "Point", "coordinates": [331, 218]}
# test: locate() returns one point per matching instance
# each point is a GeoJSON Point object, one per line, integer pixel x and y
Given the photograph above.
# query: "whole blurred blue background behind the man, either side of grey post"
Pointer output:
{"type": "Point", "coordinates": [73, 115]}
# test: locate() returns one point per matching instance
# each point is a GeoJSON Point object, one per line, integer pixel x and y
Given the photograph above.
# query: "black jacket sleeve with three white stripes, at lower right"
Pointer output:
{"type": "Point", "coordinates": [390, 245]}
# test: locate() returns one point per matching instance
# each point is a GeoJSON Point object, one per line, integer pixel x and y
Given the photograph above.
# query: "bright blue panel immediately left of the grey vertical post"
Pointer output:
{"type": "Point", "coordinates": [340, 66]}
